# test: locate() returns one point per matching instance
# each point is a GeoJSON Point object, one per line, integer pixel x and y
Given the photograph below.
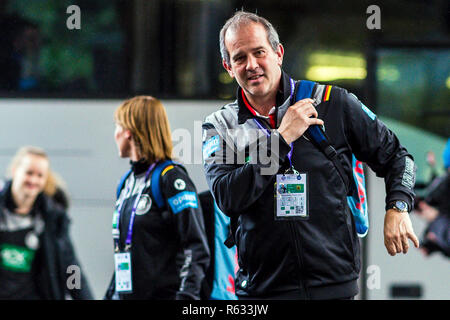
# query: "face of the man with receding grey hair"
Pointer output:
{"type": "Point", "coordinates": [253, 62]}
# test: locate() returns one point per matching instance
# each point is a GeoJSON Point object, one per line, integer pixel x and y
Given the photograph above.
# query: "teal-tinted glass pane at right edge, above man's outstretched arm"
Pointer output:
{"type": "Point", "coordinates": [413, 86]}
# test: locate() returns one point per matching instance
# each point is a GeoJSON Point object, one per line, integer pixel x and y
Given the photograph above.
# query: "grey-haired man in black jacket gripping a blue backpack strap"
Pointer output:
{"type": "Point", "coordinates": [303, 246]}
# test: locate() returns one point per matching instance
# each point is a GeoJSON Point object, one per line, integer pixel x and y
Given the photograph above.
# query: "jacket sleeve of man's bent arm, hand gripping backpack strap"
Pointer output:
{"type": "Point", "coordinates": [237, 184]}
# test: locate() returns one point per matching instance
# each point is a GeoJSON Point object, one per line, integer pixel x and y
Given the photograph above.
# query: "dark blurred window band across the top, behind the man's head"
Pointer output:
{"type": "Point", "coordinates": [170, 48]}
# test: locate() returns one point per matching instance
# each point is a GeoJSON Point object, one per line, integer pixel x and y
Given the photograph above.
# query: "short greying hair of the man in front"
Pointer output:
{"type": "Point", "coordinates": [243, 18]}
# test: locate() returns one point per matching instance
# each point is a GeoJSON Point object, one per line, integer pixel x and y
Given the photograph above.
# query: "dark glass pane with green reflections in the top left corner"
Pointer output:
{"type": "Point", "coordinates": [40, 55]}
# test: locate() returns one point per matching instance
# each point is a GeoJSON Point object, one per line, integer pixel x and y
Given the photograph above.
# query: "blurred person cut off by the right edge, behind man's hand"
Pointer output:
{"type": "Point", "coordinates": [435, 209]}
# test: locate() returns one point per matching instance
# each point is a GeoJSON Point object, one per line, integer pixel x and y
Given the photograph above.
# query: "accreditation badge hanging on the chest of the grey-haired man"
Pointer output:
{"type": "Point", "coordinates": [291, 196]}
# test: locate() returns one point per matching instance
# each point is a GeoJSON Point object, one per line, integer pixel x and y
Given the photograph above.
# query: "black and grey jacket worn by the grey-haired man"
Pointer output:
{"type": "Point", "coordinates": [318, 258]}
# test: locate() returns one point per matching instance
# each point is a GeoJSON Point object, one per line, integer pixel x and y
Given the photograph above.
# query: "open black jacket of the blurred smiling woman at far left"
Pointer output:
{"type": "Point", "coordinates": [55, 260]}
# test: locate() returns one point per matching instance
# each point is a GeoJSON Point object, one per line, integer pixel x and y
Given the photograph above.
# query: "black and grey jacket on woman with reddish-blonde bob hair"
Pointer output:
{"type": "Point", "coordinates": [169, 252]}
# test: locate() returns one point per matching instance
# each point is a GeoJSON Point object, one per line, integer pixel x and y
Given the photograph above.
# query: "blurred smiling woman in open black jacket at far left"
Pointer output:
{"type": "Point", "coordinates": [35, 248]}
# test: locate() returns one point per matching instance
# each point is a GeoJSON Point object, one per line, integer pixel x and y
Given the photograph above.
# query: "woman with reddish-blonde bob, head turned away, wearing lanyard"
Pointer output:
{"type": "Point", "coordinates": [160, 244]}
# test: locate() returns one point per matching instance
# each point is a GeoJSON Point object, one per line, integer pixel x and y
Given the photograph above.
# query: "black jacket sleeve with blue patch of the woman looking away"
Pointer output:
{"type": "Point", "coordinates": [182, 201]}
